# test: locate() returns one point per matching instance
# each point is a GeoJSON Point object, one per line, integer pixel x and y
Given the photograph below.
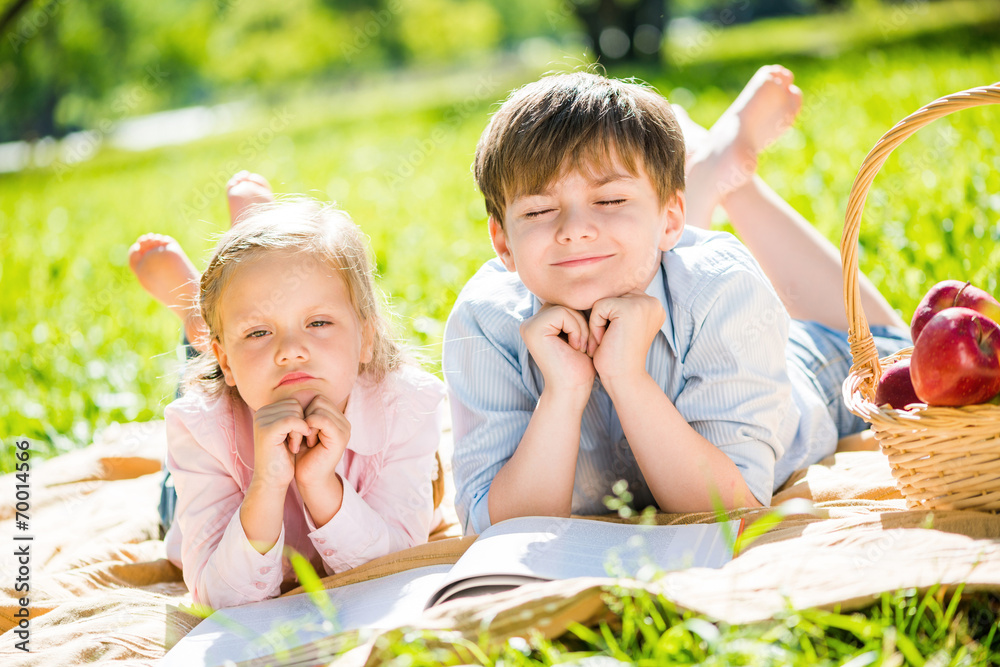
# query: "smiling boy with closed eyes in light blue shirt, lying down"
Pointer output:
{"type": "Point", "coordinates": [607, 342]}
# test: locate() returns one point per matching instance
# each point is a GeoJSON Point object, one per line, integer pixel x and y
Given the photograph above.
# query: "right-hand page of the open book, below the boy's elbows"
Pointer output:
{"type": "Point", "coordinates": [549, 548]}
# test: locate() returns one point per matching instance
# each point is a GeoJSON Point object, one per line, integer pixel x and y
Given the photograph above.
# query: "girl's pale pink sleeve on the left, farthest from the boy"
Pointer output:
{"type": "Point", "coordinates": [221, 567]}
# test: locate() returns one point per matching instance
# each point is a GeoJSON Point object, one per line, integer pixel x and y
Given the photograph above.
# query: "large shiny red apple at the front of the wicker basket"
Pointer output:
{"type": "Point", "coordinates": [956, 359]}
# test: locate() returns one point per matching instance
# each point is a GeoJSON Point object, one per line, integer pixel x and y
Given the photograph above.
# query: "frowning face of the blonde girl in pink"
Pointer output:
{"type": "Point", "coordinates": [289, 331]}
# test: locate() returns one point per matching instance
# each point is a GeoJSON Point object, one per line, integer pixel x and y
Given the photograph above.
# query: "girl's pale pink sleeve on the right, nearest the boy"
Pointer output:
{"type": "Point", "coordinates": [394, 511]}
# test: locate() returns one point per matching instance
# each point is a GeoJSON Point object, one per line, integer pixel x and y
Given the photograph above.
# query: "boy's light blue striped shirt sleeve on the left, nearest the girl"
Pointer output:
{"type": "Point", "coordinates": [491, 405]}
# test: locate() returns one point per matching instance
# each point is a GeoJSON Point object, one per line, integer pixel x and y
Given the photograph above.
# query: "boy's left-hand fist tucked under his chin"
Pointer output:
{"type": "Point", "coordinates": [557, 338]}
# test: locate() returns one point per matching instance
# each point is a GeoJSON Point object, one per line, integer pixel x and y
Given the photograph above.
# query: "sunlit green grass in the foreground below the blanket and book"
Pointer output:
{"type": "Point", "coordinates": [936, 627]}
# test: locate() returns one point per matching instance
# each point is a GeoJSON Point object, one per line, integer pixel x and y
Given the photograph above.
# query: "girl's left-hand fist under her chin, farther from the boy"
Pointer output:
{"type": "Point", "coordinates": [279, 430]}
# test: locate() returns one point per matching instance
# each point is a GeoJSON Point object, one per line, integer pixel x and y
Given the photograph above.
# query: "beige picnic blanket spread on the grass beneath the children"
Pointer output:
{"type": "Point", "coordinates": [102, 591]}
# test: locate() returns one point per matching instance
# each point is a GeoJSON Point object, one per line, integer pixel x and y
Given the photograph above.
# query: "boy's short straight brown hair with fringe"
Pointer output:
{"type": "Point", "coordinates": [582, 117]}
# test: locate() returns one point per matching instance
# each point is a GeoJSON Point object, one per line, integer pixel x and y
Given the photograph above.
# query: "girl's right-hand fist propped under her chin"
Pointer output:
{"type": "Point", "coordinates": [319, 455]}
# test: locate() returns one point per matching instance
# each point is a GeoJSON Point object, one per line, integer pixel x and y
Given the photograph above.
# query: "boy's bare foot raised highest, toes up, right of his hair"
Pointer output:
{"type": "Point", "coordinates": [761, 113]}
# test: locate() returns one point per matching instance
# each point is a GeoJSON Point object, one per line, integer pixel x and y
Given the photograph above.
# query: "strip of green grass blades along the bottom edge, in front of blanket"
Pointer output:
{"type": "Point", "coordinates": [907, 627]}
